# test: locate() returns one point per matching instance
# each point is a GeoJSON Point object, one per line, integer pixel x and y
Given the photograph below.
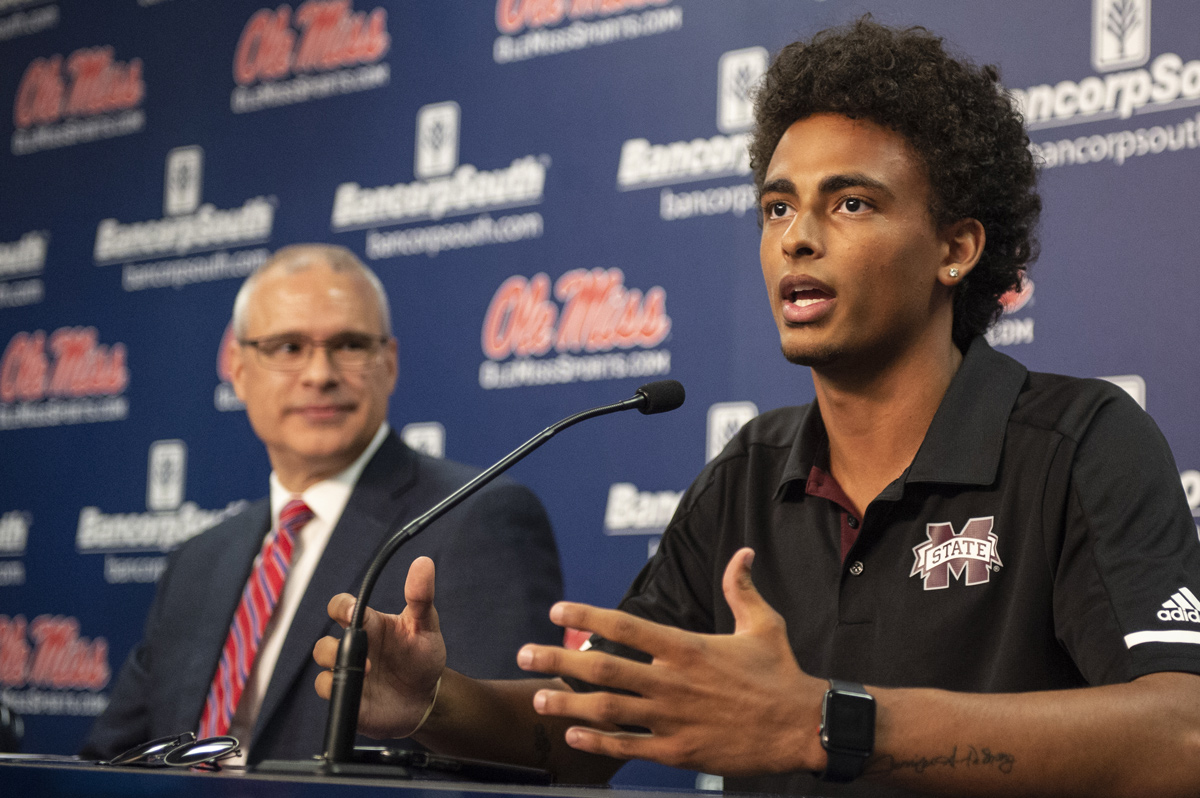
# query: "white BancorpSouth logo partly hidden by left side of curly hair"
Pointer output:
{"type": "Point", "coordinates": [646, 165]}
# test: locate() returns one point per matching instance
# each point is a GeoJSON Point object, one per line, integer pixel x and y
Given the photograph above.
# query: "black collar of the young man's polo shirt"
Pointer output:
{"type": "Point", "coordinates": [965, 440]}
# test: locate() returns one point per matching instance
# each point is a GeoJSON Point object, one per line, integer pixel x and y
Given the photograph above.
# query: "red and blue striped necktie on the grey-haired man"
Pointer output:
{"type": "Point", "coordinates": [254, 614]}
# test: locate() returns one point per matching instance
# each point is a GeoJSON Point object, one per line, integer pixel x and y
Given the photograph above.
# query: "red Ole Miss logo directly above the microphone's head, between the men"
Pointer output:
{"type": "Point", "coordinates": [599, 315]}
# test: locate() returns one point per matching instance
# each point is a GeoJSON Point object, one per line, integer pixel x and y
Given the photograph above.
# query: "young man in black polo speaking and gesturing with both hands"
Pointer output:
{"type": "Point", "coordinates": [944, 577]}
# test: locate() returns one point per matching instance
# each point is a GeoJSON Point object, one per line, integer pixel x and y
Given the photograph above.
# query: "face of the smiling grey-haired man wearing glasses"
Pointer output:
{"type": "Point", "coordinates": [317, 421]}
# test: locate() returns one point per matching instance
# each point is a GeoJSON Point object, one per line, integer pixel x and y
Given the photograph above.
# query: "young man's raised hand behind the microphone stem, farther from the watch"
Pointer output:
{"type": "Point", "coordinates": [406, 657]}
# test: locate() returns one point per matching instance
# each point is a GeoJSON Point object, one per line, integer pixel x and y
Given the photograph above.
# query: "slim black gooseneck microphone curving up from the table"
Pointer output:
{"type": "Point", "coordinates": [352, 655]}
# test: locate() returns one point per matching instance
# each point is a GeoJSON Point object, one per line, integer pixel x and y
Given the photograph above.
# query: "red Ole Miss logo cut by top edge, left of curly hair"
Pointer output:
{"type": "Point", "coordinates": [537, 28]}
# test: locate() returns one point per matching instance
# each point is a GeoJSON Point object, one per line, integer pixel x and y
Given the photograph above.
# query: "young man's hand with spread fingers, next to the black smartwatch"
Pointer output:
{"type": "Point", "coordinates": [729, 705]}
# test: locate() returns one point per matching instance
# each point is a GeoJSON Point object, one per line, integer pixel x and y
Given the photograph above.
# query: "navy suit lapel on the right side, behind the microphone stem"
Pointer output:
{"type": "Point", "coordinates": [369, 518]}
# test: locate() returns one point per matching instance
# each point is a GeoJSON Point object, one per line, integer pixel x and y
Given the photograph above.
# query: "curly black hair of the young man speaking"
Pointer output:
{"type": "Point", "coordinates": [957, 118]}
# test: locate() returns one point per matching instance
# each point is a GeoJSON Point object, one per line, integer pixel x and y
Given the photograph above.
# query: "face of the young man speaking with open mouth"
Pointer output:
{"type": "Point", "coordinates": [849, 250]}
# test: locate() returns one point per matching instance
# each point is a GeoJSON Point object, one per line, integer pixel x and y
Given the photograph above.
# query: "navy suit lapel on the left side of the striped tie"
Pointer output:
{"type": "Point", "coordinates": [233, 551]}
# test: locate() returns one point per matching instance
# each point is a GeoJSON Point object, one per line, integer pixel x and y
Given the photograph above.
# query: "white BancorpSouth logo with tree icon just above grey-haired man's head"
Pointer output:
{"type": "Point", "coordinates": [443, 187]}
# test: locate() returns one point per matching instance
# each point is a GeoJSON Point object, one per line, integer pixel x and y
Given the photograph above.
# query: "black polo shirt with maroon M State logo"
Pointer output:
{"type": "Point", "coordinates": [1041, 539]}
